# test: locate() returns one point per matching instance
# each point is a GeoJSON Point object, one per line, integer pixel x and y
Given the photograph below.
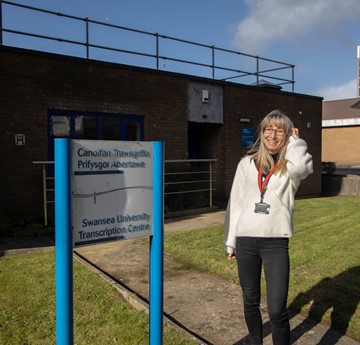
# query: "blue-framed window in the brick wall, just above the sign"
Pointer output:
{"type": "Point", "coordinates": [79, 125]}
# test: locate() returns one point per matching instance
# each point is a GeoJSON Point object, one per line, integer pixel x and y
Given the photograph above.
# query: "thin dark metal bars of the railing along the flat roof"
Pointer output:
{"type": "Point", "coordinates": [265, 73]}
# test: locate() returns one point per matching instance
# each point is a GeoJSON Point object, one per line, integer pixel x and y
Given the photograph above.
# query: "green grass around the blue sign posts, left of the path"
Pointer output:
{"type": "Point", "coordinates": [27, 307]}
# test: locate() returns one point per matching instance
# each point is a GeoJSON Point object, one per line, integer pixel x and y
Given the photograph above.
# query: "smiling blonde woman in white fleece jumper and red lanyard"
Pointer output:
{"type": "Point", "coordinates": [260, 221]}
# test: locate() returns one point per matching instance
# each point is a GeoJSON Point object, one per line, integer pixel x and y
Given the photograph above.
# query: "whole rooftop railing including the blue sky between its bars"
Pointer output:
{"type": "Point", "coordinates": [29, 27]}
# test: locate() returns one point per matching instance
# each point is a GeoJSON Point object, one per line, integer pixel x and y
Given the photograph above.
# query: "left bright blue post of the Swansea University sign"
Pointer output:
{"type": "Point", "coordinates": [63, 244]}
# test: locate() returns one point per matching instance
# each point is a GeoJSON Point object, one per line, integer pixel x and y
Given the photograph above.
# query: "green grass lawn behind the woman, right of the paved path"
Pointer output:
{"type": "Point", "coordinates": [325, 260]}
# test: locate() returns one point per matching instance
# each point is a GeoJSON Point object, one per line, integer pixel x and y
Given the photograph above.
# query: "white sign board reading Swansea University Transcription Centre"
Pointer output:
{"type": "Point", "coordinates": [112, 187]}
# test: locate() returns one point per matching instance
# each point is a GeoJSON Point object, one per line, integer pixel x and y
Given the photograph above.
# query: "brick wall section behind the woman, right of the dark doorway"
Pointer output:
{"type": "Point", "coordinates": [254, 104]}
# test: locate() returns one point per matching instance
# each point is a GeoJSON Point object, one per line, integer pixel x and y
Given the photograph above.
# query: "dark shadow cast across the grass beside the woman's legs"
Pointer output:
{"type": "Point", "coordinates": [340, 293]}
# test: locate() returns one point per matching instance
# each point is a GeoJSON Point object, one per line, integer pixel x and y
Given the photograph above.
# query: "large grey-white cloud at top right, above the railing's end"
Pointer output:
{"type": "Point", "coordinates": [271, 21]}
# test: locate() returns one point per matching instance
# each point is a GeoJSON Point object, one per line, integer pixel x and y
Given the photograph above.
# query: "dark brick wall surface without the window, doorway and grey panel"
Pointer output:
{"type": "Point", "coordinates": [32, 82]}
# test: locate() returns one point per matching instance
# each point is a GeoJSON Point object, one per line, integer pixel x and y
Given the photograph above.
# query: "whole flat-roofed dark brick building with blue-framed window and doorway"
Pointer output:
{"type": "Point", "coordinates": [46, 95]}
